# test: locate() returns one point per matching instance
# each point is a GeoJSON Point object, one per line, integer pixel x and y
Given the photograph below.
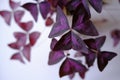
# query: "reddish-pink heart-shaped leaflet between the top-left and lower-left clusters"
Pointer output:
{"type": "Point", "coordinates": [27, 26]}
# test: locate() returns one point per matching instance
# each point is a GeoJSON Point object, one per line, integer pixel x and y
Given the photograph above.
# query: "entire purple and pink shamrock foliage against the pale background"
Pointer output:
{"type": "Point", "coordinates": [63, 36]}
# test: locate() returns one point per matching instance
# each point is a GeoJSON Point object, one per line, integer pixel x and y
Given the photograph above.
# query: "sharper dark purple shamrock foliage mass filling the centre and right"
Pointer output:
{"type": "Point", "coordinates": [70, 39]}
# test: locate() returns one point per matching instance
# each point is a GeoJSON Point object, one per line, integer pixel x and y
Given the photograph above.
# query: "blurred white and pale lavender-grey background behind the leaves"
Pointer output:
{"type": "Point", "coordinates": [38, 69]}
